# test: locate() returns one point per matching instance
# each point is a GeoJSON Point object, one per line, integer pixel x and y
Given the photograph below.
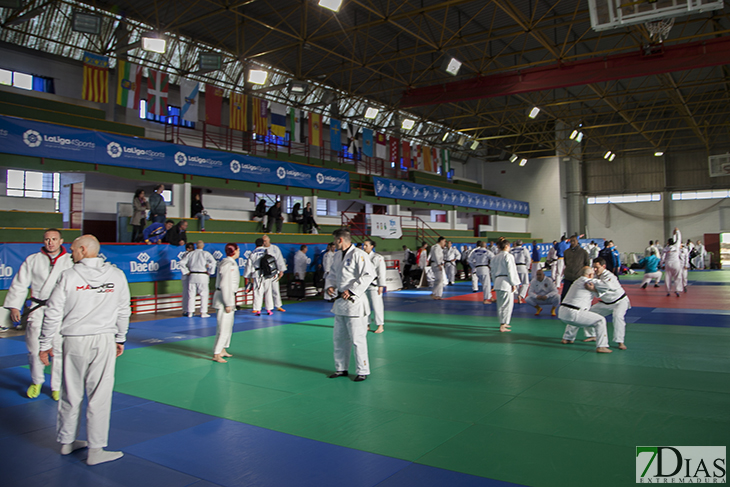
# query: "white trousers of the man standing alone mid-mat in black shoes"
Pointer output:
{"type": "Point", "coordinates": [351, 333]}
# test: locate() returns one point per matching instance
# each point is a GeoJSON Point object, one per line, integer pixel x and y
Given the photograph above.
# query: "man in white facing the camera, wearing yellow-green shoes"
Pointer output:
{"type": "Point", "coordinates": [40, 271]}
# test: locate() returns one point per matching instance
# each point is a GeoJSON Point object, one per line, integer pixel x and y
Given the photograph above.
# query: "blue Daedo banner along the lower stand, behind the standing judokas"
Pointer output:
{"type": "Point", "coordinates": [146, 263]}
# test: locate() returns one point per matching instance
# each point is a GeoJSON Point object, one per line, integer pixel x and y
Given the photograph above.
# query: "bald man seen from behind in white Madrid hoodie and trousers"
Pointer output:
{"type": "Point", "coordinates": [89, 309]}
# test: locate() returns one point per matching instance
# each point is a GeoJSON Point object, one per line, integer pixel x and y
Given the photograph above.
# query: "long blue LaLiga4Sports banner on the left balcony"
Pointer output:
{"type": "Point", "coordinates": [37, 139]}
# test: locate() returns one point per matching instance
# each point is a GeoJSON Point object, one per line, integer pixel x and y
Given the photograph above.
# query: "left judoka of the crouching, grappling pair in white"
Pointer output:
{"type": "Point", "coordinates": [575, 313]}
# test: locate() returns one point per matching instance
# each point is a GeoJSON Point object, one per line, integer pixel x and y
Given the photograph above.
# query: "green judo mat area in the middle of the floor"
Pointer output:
{"type": "Point", "coordinates": [452, 392]}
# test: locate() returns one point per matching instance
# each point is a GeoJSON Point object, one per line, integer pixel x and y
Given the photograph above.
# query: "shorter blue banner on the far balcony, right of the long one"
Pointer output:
{"type": "Point", "coordinates": [391, 188]}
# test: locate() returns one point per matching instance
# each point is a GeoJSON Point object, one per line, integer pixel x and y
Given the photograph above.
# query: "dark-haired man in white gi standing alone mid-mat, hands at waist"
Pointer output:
{"type": "Point", "coordinates": [352, 273]}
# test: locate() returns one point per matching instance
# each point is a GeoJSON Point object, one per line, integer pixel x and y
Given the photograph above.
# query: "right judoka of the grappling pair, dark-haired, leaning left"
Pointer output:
{"type": "Point", "coordinates": [613, 300]}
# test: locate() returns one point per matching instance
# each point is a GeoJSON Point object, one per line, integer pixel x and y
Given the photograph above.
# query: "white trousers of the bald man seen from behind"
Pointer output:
{"type": "Point", "coordinates": [88, 366]}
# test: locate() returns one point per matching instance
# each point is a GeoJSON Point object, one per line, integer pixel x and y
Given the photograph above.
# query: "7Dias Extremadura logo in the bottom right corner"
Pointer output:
{"type": "Point", "coordinates": [681, 464]}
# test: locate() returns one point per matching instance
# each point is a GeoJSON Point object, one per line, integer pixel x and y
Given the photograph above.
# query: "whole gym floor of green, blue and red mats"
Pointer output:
{"type": "Point", "coordinates": [451, 401]}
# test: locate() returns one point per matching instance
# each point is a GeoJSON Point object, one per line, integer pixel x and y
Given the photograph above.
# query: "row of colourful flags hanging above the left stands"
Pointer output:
{"type": "Point", "coordinates": [265, 116]}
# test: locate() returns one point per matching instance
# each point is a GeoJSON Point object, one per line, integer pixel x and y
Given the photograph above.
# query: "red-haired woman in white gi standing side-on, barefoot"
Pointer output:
{"type": "Point", "coordinates": [224, 300]}
